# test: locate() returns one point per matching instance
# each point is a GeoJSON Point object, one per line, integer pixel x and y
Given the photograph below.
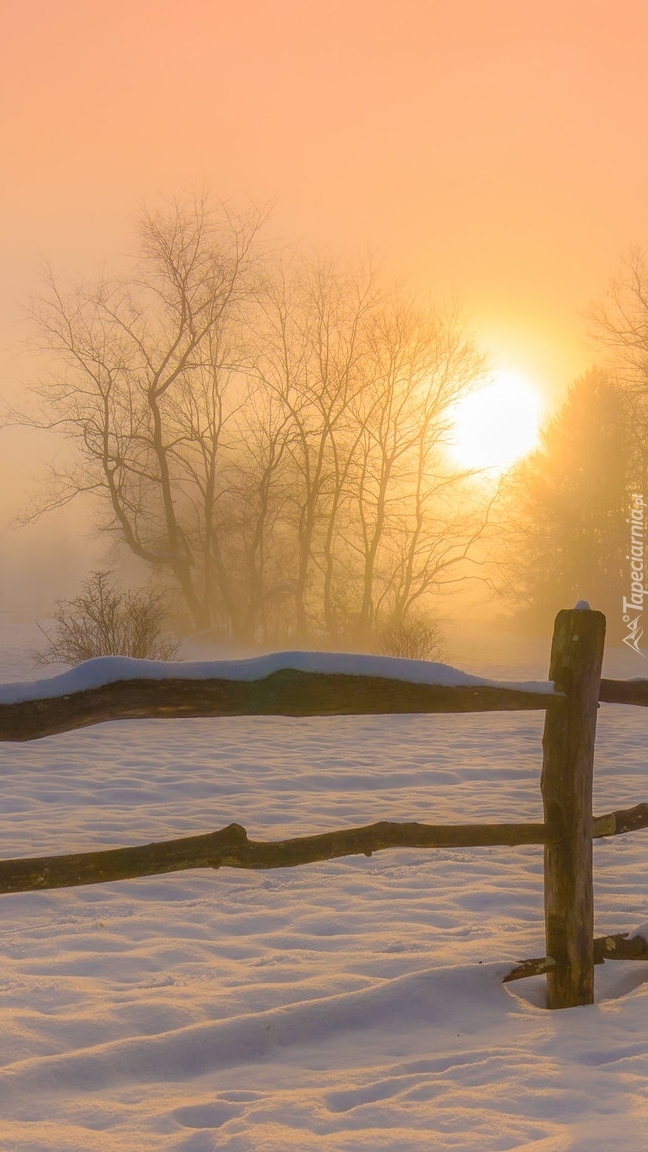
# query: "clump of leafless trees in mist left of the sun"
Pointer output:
{"type": "Point", "coordinates": [268, 434]}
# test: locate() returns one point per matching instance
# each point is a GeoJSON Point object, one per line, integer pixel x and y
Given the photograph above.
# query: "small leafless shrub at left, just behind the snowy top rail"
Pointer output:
{"type": "Point", "coordinates": [107, 620]}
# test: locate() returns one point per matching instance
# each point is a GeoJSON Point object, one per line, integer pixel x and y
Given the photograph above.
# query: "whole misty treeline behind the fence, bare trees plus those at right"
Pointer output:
{"type": "Point", "coordinates": [270, 436]}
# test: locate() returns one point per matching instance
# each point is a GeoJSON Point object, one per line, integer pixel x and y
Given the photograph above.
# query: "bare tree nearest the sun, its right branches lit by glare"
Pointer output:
{"type": "Point", "coordinates": [413, 534]}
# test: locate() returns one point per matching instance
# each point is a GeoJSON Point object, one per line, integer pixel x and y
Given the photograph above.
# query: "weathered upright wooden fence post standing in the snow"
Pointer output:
{"type": "Point", "coordinates": [570, 730]}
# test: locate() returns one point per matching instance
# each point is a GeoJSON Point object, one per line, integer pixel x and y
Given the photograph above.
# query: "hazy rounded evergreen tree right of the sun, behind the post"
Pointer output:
{"type": "Point", "coordinates": [567, 534]}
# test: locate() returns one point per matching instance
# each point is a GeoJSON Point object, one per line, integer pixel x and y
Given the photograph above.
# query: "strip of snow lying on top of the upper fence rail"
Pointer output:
{"type": "Point", "coordinates": [109, 669]}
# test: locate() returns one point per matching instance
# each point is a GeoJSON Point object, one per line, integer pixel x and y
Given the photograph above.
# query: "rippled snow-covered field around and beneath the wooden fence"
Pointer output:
{"type": "Point", "coordinates": [355, 1005]}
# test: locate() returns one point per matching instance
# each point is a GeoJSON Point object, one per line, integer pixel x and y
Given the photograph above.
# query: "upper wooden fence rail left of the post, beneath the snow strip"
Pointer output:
{"type": "Point", "coordinates": [285, 693]}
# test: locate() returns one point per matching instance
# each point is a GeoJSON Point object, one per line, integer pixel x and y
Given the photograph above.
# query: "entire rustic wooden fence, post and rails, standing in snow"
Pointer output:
{"type": "Point", "coordinates": [567, 782]}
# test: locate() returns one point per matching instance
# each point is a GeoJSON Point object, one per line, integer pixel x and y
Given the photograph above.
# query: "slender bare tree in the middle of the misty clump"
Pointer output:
{"type": "Point", "coordinates": [311, 368]}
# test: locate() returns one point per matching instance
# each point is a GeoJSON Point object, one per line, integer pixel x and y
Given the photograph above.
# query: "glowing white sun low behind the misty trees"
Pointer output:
{"type": "Point", "coordinates": [499, 425]}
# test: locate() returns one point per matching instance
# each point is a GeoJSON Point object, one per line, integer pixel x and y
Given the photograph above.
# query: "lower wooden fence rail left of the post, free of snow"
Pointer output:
{"type": "Point", "coordinates": [231, 848]}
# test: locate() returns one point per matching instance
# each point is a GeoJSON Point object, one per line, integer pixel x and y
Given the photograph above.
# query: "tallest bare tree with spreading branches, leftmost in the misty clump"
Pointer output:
{"type": "Point", "coordinates": [144, 368]}
